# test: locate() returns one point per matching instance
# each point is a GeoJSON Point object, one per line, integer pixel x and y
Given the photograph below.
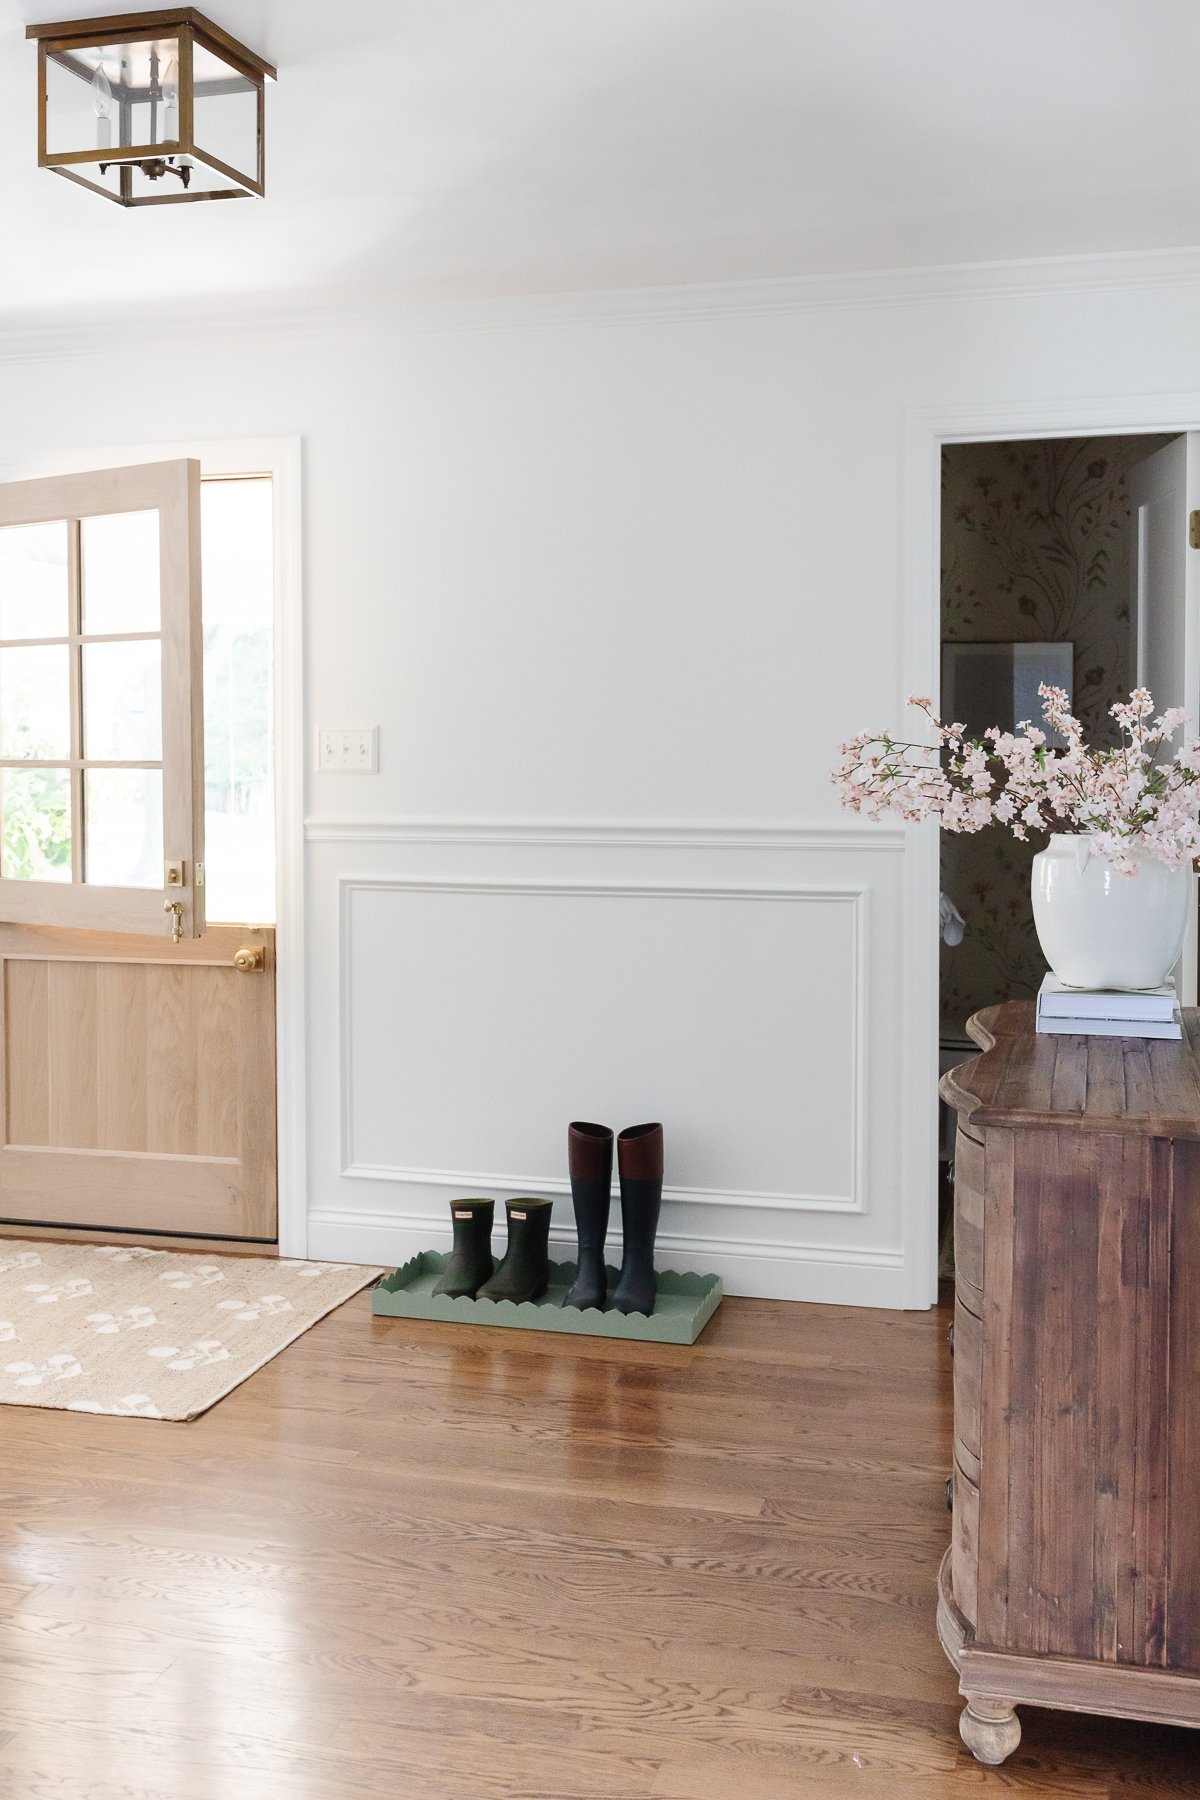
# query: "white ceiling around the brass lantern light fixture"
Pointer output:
{"type": "Point", "coordinates": [434, 148]}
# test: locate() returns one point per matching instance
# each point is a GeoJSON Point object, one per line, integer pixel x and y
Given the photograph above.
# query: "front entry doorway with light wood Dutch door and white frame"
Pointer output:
{"type": "Point", "coordinates": [141, 1061]}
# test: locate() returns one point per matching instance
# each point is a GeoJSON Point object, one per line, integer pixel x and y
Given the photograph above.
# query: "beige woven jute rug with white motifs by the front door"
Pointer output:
{"type": "Point", "coordinates": [148, 1333]}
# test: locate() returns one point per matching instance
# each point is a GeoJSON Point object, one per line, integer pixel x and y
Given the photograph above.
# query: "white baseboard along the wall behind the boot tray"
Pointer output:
{"type": "Point", "coordinates": [828, 1275]}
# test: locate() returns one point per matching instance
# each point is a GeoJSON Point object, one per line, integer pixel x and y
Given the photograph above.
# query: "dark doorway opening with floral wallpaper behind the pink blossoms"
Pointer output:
{"type": "Point", "coordinates": [1062, 561]}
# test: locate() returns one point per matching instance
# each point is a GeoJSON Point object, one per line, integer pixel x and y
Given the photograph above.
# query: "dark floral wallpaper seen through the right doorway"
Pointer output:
{"type": "Point", "coordinates": [1035, 546]}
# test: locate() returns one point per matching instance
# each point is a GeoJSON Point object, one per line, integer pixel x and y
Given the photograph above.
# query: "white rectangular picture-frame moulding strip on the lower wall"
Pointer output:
{"type": "Point", "coordinates": [523, 1183]}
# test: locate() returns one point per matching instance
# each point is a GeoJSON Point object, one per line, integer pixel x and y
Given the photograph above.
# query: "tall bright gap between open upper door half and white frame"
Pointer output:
{"type": "Point", "coordinates": [238, 636]}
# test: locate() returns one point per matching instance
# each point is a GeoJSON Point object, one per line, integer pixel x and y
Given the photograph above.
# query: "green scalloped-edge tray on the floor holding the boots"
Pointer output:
{"type": "Point", "coordinates": [683, 1309]}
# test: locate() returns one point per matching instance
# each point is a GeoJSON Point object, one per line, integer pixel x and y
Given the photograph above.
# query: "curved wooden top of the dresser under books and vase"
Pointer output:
{"type": "Point", "coordinates": [1149, 1088]}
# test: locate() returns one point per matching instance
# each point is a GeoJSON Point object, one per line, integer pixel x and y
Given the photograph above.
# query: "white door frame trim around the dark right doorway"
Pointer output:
{"type": "Point", "coordinates": [926, 431]}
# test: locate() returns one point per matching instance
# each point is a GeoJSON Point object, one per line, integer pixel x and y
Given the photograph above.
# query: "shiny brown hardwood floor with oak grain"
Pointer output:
{"type": "Point", "coordinates": [445, 1565]}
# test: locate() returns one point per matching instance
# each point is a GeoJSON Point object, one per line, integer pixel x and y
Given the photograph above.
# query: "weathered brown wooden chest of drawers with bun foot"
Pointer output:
{"type": "Point", "coordinates": [1073, 1576]}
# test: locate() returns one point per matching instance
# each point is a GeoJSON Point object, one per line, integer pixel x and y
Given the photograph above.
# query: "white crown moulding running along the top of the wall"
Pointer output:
{"type": "Point", "coordinates": [28, 341]}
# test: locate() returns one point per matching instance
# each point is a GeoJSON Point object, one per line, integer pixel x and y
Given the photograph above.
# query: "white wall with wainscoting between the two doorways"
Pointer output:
{"type": "Point", "coordinates": [614, 579]}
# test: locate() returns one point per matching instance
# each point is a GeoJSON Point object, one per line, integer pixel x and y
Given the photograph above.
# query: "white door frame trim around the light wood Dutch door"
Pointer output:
{"type": "Point", "coordinates": [280, 458]}
